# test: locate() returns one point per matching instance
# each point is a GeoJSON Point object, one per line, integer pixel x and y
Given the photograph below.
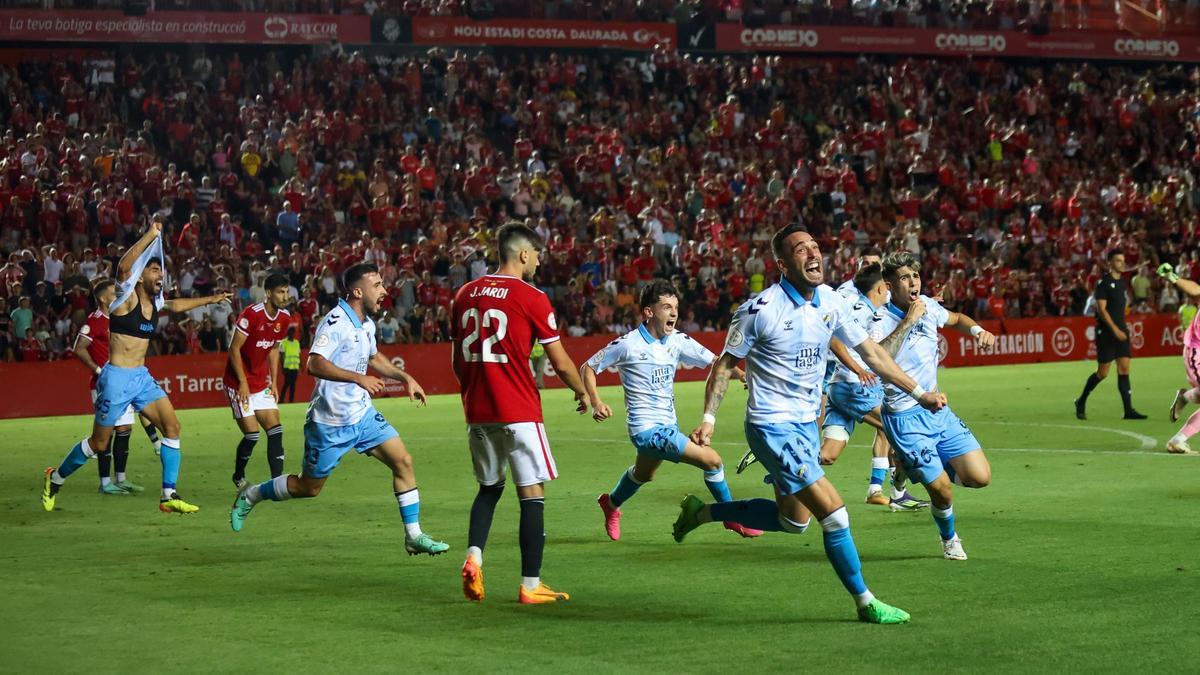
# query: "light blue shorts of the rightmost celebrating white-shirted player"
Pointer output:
{"type": "Point", "coordinates": [926, 441]}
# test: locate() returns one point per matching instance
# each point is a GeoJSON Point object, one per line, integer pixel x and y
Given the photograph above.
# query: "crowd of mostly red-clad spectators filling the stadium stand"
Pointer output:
{"type": "Point", "coordinates": [1010, 181]}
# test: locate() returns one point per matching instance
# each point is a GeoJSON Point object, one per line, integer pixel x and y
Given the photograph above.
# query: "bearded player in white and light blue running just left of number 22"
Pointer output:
{"type": "Point", "coordinates": [341, 417]}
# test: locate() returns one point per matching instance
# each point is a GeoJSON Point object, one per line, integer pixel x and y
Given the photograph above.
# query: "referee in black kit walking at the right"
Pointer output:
{"type": "Point", "coordinates": [1112, 337]}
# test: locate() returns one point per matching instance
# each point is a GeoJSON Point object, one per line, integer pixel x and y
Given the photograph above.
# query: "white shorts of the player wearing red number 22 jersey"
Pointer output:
{"type": "Point", "coordinates": [521, 446]}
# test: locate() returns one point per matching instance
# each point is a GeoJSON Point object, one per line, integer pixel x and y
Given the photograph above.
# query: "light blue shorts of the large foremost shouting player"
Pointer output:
{"type": "Point", "coordinates": [789, 453]}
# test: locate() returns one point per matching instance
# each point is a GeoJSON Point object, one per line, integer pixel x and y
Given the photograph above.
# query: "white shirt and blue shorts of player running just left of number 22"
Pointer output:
{"type": "Point", "coordinates": [341, 416]}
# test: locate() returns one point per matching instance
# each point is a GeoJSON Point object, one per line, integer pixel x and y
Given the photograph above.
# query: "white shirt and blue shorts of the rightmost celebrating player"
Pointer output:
{"type": "Point", "coordinates": [925, 441]}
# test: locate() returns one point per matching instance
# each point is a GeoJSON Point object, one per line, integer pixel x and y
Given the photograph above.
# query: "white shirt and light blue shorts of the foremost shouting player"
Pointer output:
{"type": "Point", "coordinates": [785, 341]}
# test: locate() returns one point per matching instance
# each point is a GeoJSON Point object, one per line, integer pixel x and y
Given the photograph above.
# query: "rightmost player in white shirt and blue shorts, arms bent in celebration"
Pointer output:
{"type": "Point", "coordinates": [937, 450]}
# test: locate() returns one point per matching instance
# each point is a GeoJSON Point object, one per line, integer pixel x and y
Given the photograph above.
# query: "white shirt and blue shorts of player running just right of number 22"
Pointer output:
{"type": "Point", "coordinates": [647, 368]}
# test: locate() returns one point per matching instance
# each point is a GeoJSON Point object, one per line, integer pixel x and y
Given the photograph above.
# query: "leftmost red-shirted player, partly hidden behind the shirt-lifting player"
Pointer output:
{"type": "Point", "coordinates": [92, 349]}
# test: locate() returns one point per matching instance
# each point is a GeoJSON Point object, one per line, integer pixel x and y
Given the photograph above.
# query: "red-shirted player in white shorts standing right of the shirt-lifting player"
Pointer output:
{"type": "Point", "coordinates": [253, 377]}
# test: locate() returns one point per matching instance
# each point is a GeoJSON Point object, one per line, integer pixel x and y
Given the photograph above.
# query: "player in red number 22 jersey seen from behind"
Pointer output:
{"type": "Point", "coordinates": [496, 321]}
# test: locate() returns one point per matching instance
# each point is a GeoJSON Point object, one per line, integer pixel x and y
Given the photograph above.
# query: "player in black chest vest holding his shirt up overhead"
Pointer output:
{"type": "Point", "coordinates": [124, 380]}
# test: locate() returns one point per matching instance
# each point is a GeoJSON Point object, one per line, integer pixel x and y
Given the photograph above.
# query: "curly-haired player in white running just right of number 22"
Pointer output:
{"type": "Point", "coordinates": [646, 360]}
